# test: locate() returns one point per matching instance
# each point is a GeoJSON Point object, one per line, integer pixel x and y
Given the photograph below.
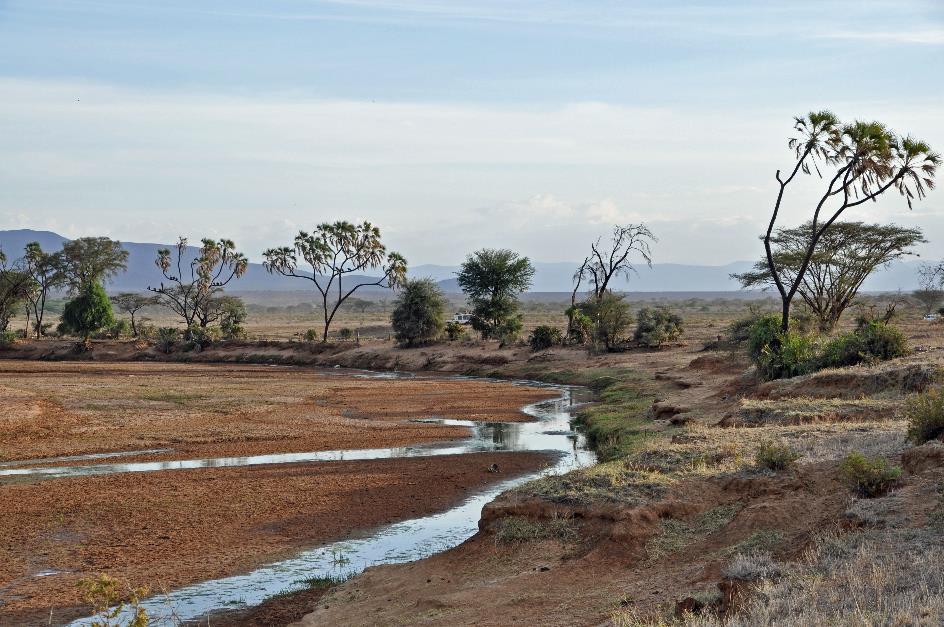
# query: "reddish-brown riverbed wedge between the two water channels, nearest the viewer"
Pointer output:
{"type": "Point", "coordinates": [167, 529]}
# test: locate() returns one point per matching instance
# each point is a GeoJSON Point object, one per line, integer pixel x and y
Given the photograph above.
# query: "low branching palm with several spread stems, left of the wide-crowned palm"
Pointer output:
{"type": "Point", "coordinates": [192, 287]}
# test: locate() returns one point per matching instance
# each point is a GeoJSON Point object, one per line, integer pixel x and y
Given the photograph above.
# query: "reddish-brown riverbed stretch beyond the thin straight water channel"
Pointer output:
{"type": "Point", "coordinates": [57, 409]}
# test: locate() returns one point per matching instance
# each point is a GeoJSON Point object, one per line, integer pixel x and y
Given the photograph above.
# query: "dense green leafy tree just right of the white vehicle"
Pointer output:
{"type": "Point", "coordinates": [492, 279]}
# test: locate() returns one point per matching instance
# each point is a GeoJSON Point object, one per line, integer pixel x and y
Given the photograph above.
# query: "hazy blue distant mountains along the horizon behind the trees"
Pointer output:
{"type": "Point", "coordinates": [549, 276]}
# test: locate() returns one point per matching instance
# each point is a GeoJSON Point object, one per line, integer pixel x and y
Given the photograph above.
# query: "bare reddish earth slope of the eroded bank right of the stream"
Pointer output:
{"type": "Point", "coordinates": [579, 583]}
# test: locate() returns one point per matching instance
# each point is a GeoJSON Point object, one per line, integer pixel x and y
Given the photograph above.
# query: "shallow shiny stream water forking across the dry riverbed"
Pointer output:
{"type": "Point", "coordinates": [400, 542]}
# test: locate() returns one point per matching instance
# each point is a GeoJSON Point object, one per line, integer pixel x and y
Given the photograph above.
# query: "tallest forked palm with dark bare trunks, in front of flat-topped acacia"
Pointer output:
{"type": "Point", "coordinates": [867, 160]}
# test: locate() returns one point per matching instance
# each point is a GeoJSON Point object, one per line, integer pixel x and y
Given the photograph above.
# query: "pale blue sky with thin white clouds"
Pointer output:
{"type": "Point", "coordinates": [451, 124]}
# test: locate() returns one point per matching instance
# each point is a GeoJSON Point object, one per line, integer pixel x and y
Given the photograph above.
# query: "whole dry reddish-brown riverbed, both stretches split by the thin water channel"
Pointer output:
{"type": "Point", "coordinates": [169, 528]}
